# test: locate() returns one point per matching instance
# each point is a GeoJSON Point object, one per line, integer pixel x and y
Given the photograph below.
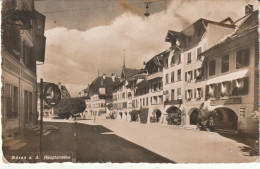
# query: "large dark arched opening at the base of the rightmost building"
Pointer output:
{"type": "Point", "coordinates": [226, 119]}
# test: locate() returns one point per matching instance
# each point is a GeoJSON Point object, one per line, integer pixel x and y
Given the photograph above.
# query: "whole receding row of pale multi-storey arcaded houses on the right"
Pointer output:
{"type": "Point", "coordinates": [209, 66]}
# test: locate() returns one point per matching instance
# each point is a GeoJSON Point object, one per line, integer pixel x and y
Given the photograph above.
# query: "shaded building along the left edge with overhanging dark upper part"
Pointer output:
{"type": "Point", "coordinates": [23, 44]}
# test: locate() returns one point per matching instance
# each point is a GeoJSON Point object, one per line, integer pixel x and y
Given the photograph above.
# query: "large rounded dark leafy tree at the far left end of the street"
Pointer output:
{"type": "Point", "coordinates": [69, 106]}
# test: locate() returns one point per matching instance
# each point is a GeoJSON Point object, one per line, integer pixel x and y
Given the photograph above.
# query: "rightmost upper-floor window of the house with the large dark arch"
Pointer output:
{"type": "Point", "coordinates": [242, 58]}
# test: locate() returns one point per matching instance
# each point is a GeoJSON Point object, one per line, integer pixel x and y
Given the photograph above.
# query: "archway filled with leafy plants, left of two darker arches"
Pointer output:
{"type": "Point", "coordinates": [173, 115]}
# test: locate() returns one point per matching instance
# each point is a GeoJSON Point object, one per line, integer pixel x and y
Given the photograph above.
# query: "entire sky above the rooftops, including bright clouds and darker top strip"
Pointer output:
{"type": "Point", "coordinates": [86, 35]}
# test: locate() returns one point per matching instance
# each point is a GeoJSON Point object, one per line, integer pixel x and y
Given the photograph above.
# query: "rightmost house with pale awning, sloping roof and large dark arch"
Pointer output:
{"type": "Point", "coordinates": [232, 78]}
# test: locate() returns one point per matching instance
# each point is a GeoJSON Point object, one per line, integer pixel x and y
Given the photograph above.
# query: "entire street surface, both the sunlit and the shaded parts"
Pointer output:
{"type": "Point", "coordinates": [119, 141]}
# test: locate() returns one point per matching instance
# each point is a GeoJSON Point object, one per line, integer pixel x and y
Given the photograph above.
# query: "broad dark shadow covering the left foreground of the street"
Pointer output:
{"type": "Point", "coordinates": [94, 143]}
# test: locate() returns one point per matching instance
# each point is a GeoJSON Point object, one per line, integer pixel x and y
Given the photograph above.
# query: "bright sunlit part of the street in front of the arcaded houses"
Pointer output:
{"type": "Point", "coordinates": [179, 144]}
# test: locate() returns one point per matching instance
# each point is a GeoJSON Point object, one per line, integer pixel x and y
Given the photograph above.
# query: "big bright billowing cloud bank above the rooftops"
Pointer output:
{"type": "Point", "coordinates": [73, 57]}
